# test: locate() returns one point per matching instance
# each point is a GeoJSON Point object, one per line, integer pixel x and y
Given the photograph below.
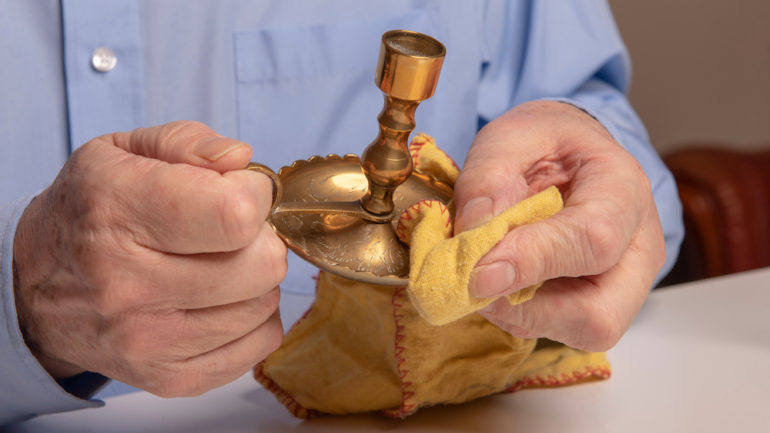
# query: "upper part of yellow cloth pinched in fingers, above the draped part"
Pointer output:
{"type": "Point", "coordinates": [440, 265]}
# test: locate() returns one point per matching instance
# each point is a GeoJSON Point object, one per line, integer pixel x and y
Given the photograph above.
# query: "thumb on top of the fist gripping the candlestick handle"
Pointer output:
{"type": "Point", "coordinates": [187, 142]}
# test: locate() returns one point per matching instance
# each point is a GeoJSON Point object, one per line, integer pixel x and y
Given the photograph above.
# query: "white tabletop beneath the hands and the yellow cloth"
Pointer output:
{"type": "Point", "coordinates": [697, 359]}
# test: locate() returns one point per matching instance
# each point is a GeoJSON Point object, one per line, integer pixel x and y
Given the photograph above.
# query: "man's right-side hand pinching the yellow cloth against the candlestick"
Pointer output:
{"type": "Point", "coordinates": [600, 254]}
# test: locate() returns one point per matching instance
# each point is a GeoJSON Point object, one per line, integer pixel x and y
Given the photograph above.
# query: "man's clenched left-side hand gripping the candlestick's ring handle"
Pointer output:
{"type": "Point", "coordinates": [148, 260]}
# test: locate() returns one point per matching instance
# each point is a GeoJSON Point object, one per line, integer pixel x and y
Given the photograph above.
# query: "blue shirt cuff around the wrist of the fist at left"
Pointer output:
{"type": "Point", "coordinates": [26, 389]}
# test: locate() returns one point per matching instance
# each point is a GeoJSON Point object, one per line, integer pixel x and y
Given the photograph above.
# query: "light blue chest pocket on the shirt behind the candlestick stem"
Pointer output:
{"type": "Point", "coordinates": [310, 90]}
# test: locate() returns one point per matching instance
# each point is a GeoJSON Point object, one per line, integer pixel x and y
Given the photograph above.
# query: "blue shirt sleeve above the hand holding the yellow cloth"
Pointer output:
{"type": "Point", "coordinates": [572, 52]}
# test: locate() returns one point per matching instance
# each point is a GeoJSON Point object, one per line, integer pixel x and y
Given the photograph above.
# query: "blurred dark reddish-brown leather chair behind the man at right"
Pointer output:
{"type": "Point", "coordinates": [726, 205]}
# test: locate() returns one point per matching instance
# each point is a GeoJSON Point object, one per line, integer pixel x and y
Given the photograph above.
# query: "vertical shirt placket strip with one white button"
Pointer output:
{"type": "Point", "coordinates": [103, 66]}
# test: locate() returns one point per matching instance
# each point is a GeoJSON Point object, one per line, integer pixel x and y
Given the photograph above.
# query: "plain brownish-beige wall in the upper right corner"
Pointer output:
{"type": "Point", "coordinates": [701, 69]}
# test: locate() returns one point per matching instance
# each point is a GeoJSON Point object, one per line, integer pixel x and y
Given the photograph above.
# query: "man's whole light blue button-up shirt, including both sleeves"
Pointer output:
{"type": "Point", "coordinates": [292, 78]}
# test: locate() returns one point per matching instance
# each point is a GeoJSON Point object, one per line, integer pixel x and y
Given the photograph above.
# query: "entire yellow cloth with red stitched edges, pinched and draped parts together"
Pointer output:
{"type": "Point", "coordinates": [362, 347]}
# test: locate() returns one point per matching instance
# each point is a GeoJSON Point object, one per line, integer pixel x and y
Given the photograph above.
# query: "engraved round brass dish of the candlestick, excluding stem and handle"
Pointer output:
{"type": "Point", "coordinates": [347, 245]}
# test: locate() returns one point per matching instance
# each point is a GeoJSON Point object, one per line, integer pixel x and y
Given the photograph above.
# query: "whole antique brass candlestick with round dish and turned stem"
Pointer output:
{"type": "Point", "coordinates": [338, 212]}
